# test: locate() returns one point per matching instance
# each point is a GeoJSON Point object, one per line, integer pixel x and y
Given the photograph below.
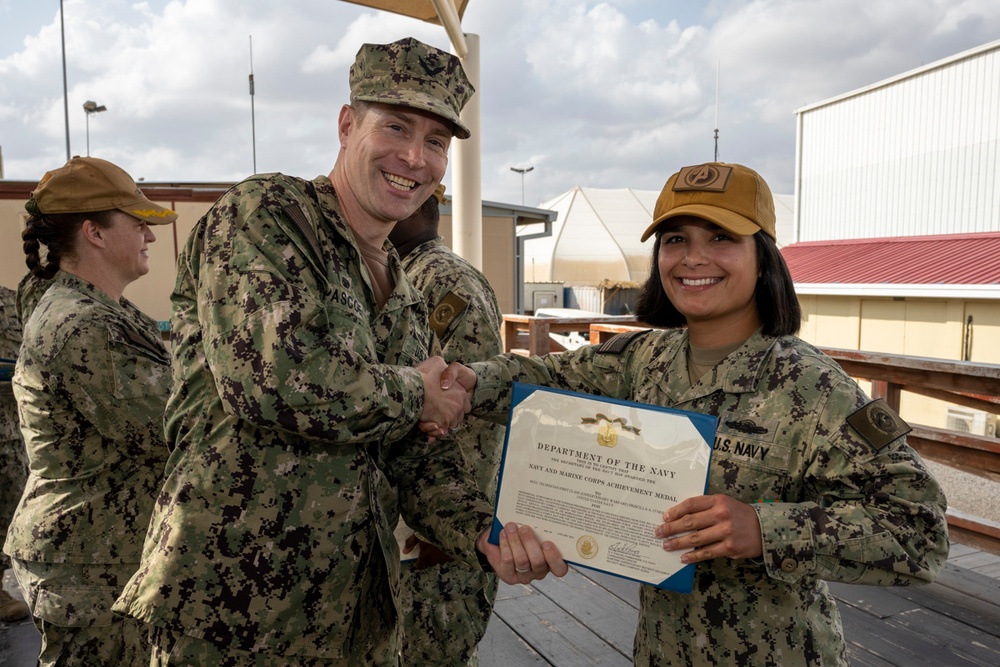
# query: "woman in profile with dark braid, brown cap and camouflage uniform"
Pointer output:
{"type": "Point", "coordinates": [91, 383]}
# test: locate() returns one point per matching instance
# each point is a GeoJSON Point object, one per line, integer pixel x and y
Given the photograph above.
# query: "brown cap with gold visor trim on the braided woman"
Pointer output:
{"type": "Point", "coordinates": [89, 184]}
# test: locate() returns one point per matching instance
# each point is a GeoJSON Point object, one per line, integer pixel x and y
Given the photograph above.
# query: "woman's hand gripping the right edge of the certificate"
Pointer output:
{"type": "Point", "coordinates": [716, 526]}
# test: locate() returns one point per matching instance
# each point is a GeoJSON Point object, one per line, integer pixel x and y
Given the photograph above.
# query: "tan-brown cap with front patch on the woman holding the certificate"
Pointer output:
{"type": "Point", "coordinates": [730, 195]}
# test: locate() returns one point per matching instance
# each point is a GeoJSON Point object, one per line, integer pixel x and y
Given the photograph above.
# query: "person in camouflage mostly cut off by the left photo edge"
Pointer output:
{"type": "Point", "coordinates": [13, 458]}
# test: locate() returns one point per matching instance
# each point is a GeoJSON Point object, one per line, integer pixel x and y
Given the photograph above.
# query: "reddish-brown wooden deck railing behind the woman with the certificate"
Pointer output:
{"type": "Point", "coordinates": [964, 383]}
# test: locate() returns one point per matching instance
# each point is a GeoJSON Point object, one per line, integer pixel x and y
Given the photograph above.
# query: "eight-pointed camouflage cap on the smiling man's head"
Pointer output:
{"type": "Point", "coordinates": [410, 73]}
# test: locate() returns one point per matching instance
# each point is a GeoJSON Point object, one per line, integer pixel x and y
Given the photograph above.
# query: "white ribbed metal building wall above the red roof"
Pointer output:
{"type": "Point", "coordinates": [912, 155]}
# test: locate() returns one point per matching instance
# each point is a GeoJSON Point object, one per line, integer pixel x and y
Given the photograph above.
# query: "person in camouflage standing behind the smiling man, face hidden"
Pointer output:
{"type": "Point", "coordinates": [447, 605]}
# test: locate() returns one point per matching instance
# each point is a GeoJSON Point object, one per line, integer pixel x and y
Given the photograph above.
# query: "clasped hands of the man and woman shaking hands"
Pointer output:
{"type": "Point", "coordinates": [448, 390]}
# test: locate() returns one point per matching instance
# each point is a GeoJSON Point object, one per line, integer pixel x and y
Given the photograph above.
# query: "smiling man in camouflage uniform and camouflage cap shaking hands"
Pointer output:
{"type": "Point", "coordinates": [294, 401]}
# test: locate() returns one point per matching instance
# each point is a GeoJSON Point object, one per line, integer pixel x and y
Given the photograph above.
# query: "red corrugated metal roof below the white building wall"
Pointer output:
{"type": "Point", "coordinates": [952, 259]}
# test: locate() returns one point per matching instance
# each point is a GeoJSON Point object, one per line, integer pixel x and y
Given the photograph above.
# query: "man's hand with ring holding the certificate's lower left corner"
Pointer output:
{"type": "Point", "coordinates": [520, 559]}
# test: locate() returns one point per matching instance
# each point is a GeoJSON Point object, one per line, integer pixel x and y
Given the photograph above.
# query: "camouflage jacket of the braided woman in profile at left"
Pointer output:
{"type": "Point", "coordinates": [91, 383]}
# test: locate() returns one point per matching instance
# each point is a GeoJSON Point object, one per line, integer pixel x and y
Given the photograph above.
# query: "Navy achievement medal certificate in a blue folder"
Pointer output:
{"type": "Point", "coordinates": [594, 475]}
